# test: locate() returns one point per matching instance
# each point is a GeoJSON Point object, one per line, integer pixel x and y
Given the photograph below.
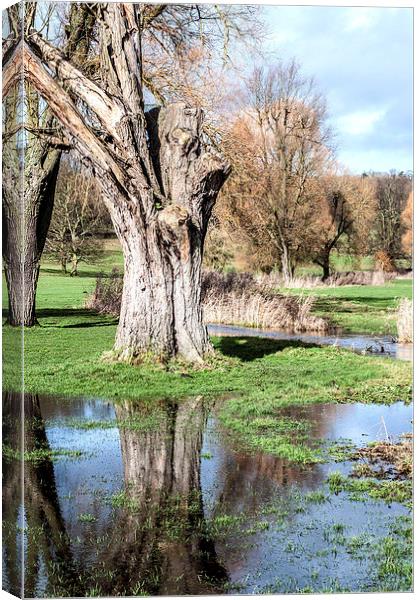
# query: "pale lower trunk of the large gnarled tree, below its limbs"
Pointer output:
{"type": "Point", "coordinates": [161, 311]}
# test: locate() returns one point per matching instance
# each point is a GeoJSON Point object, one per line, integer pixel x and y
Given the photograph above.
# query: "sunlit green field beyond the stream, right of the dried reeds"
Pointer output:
{"type": "Point", "coordinates": [361, 308]}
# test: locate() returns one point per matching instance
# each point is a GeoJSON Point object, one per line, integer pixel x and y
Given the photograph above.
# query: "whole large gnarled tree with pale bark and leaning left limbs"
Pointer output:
{"type": "Point", "coordinates": [158, 178]}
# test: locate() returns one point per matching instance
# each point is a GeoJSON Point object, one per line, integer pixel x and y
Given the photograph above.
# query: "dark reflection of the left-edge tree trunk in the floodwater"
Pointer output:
{"type": "Point", "coordinates": [46, 545]}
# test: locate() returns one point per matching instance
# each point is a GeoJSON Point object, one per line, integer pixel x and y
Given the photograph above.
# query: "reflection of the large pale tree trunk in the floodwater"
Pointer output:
{"type": "Point", "coordinates": [162, 477]}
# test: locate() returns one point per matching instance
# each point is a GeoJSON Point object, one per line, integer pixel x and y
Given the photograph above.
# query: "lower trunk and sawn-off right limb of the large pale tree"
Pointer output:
{"type": "Point", "coordinates": [161, 312]}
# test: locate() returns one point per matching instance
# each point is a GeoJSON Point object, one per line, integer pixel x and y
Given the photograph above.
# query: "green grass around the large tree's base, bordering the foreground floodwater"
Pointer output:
{"type": "Point", "coordinates": [257, 377]}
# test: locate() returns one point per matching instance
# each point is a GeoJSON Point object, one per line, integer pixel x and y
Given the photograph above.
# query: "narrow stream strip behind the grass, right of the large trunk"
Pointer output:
{"type": "Point", "coordinates": [381, 345]}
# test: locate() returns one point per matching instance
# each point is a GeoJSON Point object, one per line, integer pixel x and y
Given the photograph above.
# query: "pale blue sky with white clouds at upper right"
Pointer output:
{"type": "Point", "coordinates": [362, 59]}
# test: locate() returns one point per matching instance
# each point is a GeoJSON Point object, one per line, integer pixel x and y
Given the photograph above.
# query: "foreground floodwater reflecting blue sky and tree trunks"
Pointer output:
{"type": "Point", "coordinates": [131, 499]}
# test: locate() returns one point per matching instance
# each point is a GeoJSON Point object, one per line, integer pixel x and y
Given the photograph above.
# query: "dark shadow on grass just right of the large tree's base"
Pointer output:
{"type": "Point", "coordinates": [248, 348]}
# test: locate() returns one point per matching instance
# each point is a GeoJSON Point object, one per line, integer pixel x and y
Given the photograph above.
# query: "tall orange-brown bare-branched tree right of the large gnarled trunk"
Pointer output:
{"type": "Point", "coordinates": [277, 145]}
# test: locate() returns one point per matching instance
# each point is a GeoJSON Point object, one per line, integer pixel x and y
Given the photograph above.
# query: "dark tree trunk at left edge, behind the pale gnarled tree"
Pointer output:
{"type": "Point", "coordinates": [34, 135]}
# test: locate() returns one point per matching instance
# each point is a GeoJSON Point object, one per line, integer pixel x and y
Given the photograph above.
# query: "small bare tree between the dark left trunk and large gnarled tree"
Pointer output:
{"type": "Point", "coordinates": [78, 218]}
